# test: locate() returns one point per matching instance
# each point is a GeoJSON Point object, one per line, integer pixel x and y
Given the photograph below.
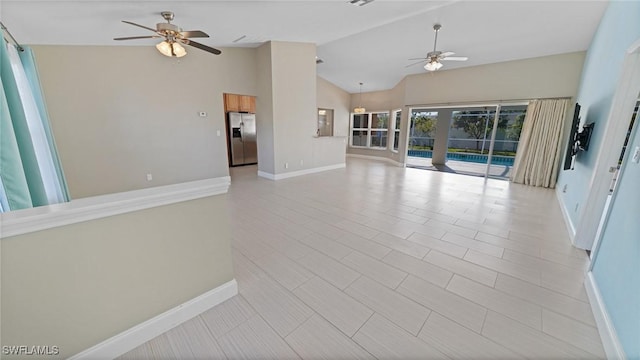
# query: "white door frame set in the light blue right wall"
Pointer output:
{"type": "Point", "coordinates": [624, 99]}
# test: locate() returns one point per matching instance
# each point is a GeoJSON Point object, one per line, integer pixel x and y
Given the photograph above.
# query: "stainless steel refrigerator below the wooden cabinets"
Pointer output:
{"type": "Point", "coordinates": [243, 149]}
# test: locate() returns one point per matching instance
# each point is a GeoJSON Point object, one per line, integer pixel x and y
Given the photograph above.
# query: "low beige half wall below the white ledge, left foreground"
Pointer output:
{"type": "Point", "coordinates": [77, 285]}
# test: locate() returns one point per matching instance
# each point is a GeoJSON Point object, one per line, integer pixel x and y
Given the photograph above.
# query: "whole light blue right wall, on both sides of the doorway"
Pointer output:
{"type": "Point", "coordinates": [617, 264]}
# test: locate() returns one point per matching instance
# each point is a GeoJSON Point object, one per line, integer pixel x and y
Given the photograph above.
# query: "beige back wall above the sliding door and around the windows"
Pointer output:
{"type": "Point", "coordinates": [544, 77]}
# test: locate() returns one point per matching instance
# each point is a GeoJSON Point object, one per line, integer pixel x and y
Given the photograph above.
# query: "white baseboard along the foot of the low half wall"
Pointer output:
{"type": "Point", "coordinates": [141, 333]}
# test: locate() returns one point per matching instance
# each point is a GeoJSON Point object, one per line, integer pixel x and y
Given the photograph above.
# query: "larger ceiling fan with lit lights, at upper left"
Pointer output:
{"type": "Point", "coordinates": [173, 36]}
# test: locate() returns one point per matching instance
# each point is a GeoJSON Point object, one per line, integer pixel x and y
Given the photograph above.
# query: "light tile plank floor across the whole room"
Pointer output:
{"type": "Point", "coordinates": [376, 261]}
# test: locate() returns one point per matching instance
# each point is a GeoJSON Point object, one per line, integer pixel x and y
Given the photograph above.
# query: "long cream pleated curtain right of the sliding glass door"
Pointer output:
{"type": "Point", "coordinates": [538, 155]}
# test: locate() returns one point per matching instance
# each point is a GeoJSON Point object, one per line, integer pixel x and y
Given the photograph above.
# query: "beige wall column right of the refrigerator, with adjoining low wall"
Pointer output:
{"type": "Point", "coordinates": [288, 77]}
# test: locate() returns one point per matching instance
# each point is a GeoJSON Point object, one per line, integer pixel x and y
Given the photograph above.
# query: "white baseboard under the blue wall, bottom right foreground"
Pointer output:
{"type": "Point", "coordinates": [612, 346]}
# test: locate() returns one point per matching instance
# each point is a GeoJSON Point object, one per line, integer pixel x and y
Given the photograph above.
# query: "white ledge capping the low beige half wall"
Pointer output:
{"type": "Point", "coordinates": [46, 217]}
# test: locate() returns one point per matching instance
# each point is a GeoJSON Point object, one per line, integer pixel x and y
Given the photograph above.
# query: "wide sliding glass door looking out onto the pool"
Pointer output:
{"type": "Point", "coordinates": [479, 140]}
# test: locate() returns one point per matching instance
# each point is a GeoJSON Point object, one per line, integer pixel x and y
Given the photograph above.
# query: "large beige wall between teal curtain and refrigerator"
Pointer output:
{"type": "Point", "coordinates": [120, 113]}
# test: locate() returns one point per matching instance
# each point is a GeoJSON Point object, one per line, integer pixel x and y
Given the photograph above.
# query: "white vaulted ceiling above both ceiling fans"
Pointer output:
{"type": "Point", "coordinates": [369, 44]}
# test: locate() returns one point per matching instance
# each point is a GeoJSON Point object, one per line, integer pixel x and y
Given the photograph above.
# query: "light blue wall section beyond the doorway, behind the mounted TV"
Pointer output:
{"type": "Point", "coordinates": [618, 30]}
